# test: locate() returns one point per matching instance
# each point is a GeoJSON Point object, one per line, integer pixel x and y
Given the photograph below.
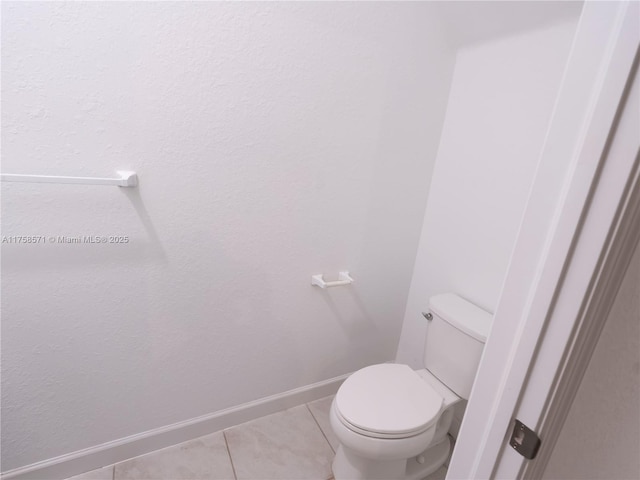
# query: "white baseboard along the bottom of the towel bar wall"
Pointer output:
{"type": "Point", "coordinates": [92, 458]}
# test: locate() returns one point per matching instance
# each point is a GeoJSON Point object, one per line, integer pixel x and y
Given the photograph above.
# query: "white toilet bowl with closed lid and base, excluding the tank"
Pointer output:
{"type": "Point", "coordinates": [402, 434]}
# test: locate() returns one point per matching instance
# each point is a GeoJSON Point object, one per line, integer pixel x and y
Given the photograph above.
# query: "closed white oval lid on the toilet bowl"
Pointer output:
{"type": "Point", "coordinates": [388, 399]}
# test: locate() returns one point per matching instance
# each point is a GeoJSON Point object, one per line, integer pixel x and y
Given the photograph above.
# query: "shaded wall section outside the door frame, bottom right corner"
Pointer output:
{"type": "Point", "coordinates": [601, 434]}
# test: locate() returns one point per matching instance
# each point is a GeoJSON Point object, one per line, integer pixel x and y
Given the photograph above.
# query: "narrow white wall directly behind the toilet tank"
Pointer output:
{"type": "Point", "coordinates": [500, 103]}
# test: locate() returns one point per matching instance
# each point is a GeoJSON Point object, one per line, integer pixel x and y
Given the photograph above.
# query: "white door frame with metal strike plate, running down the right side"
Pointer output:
{"type": "Point", "coordinates": [579, 229]}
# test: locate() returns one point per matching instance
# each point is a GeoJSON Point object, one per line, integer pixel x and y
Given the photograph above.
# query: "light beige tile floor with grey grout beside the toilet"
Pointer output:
{"type": "Point", "coordinates": [295, 444]}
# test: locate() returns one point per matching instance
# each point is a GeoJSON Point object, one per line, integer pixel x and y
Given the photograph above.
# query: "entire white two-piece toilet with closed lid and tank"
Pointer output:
{"type": "Point", "coordinates": [392, 421]}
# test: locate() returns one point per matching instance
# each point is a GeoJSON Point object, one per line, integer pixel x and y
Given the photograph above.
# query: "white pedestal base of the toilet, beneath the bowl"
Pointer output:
{"type": "Point", "coordinates": [349, 466]}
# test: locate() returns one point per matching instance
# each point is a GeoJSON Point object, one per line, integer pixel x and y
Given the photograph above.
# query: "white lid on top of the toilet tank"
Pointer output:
{"type": "Point", "coordinates": [462, 314]}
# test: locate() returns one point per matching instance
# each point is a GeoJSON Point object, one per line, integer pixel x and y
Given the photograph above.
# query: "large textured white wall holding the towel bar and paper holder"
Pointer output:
{"type": "Point", "coordinates": [273, 141]}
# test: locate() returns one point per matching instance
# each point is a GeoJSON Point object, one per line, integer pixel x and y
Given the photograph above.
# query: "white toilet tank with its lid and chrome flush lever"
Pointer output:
{"type": "Point", "coordinates": [455, 340]}
